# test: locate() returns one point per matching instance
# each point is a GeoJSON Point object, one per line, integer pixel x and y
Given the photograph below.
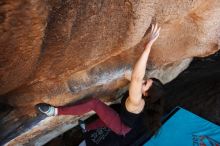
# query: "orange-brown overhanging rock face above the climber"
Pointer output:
{"type": "Point", "coordinates": [58, 51]}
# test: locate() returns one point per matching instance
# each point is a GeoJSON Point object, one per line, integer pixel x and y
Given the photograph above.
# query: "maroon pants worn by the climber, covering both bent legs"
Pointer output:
{"type": "Point", "coordinates": [108, 117]}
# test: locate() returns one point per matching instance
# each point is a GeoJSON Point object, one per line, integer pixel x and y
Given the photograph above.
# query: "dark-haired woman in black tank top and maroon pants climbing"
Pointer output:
{"type": "Point", "coordinates": [141, 107]}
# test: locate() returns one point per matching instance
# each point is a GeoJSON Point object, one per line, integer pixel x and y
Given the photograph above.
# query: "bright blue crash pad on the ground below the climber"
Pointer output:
{"type": "Point", "coordinates": [184, 128]}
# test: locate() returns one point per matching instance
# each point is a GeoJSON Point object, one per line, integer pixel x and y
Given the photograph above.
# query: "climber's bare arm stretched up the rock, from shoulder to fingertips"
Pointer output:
{"type": "Point", "coordinates": [134, 102]}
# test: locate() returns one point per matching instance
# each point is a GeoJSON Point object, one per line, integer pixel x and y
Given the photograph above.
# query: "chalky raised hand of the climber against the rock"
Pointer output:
{"type": "Point", "coordinates": [154, 34]}
